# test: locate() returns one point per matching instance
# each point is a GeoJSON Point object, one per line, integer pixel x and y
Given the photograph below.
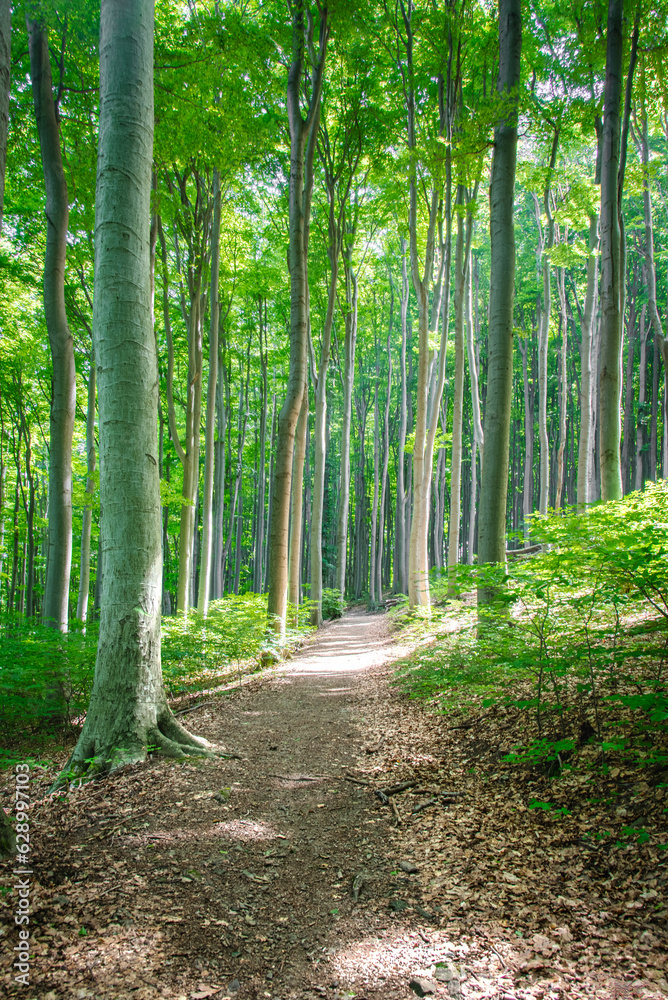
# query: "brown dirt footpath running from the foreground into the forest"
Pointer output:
{"type": "Point", "coordinates": [234, 877]}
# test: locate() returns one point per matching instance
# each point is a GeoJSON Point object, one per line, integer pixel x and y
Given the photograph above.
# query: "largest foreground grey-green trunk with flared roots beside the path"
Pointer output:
{"type": "Point", "coordinates": [128, 708]}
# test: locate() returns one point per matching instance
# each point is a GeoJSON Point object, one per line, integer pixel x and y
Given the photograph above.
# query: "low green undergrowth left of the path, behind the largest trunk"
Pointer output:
{"type": "Point", "coordinates": [46, 676]}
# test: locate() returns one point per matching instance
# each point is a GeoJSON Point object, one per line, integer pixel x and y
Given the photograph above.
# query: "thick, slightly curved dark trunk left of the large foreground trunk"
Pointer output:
{"type": "Point", "coordinates": [63, 379]}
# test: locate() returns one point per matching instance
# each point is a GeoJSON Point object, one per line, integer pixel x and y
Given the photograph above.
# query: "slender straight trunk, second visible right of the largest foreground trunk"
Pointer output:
{"type": "Point", "coordinates": [207, 491]}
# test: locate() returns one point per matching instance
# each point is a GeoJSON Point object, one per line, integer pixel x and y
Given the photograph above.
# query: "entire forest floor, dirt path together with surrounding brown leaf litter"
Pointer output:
{"type": "Point", "coordinates": [281, 874]}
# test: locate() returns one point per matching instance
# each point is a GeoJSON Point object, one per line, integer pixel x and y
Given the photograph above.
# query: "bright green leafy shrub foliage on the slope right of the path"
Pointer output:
{"type": "Point", "coordinates": [577, 641]}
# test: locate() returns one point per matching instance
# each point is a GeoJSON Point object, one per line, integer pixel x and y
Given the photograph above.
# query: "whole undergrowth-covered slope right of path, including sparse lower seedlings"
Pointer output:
{"type": "Point", "coordinates": [567, 670]}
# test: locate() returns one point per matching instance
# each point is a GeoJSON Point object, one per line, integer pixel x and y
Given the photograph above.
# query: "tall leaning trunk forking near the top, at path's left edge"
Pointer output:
{"type": "Point", "coordinates": [303, 136]}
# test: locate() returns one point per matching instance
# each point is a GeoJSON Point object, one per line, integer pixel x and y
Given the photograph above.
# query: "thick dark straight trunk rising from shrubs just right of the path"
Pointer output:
{"type": "Point", "coordinates": [494, 487]}
